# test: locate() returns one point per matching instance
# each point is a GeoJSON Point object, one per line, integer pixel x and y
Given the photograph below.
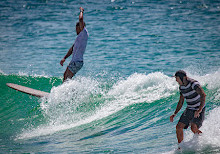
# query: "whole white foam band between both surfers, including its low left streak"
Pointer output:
{"type": "Point", "coordinates": [72, 104]}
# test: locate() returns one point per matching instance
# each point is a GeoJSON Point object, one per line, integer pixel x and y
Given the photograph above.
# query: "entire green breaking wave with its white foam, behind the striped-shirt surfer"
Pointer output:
{"type": "Point", "coordinates": [107, 115]}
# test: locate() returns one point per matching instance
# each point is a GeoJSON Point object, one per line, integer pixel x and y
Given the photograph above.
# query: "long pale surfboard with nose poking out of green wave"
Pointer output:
{"type": "Point", "coordinates": [27, 90]}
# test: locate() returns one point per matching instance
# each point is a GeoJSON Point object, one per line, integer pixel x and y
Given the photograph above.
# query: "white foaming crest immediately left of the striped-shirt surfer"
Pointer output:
{"type": "Point", "coordinates": [140, 88]}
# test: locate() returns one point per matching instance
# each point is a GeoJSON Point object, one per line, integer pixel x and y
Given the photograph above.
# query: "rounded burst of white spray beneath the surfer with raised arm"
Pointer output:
{"type": "Point", "coordinates": [66, 100]}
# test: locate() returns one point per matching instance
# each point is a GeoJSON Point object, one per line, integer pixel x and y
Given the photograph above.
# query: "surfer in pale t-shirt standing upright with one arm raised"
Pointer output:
{"type": "Point", "coordinates": [77, 49]}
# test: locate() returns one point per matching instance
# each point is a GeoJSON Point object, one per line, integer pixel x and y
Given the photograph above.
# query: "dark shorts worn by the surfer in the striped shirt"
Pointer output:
{"type": "Point", "coordinates": [188, 117]}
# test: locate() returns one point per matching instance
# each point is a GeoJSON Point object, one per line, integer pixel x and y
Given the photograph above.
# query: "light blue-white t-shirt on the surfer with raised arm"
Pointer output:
{"type": "Point", "coordinates": [80, 45]}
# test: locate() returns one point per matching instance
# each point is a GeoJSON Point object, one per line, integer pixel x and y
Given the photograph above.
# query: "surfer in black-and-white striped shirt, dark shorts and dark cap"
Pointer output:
{"type": "Point", "coordinates": [195, 98]}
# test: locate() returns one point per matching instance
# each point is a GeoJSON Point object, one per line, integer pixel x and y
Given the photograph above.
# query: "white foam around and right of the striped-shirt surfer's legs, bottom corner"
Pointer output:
{"type": "Point", "coordinates": [209, 139]}
